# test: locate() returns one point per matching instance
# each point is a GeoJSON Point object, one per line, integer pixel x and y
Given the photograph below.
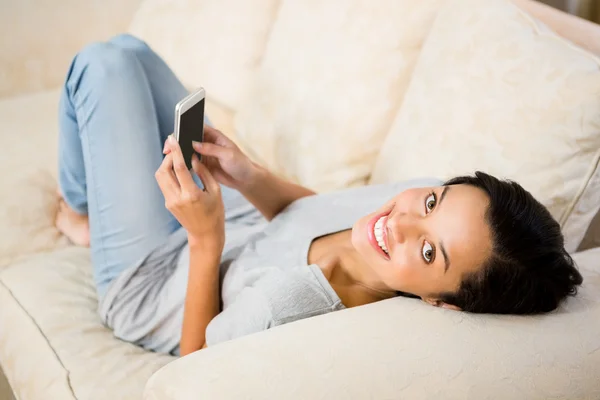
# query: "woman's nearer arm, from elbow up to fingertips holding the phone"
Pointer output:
{"type": "Point", "coordinates": [202, 214]}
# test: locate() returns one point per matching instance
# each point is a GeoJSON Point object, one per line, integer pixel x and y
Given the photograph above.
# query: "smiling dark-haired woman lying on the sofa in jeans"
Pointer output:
{"type": "Point", "coordinates": [257, 251]}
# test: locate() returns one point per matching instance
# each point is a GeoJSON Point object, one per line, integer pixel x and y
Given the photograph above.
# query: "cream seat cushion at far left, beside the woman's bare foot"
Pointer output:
{"type": "Point", "coordinates": [28, 200]}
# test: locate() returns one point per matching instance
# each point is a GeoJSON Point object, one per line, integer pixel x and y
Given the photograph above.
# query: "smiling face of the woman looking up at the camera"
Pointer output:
{"type": "Point", "coordinates": [433, 237]}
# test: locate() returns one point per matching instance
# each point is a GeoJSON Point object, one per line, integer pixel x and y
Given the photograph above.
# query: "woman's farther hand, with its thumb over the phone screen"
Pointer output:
{"type": "Point", "coordinates": [224, 159]}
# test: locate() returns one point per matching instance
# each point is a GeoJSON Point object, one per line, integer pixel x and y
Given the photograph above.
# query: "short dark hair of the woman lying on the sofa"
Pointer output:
{"type": "Point", "coordinates": [529, 270]}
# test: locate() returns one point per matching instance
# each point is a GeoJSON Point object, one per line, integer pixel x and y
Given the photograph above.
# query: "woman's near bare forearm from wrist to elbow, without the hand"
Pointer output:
{"type": "Point", "coordinates": [202, 297]}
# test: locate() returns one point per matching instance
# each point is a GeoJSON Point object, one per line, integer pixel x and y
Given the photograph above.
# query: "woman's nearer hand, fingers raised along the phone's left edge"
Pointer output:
{"type": "Point", "coordinates": [200, 212]}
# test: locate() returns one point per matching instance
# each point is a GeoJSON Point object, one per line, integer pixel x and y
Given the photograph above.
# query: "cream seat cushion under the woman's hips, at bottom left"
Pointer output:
{"type": "Point", "coordinates": [53, 344]}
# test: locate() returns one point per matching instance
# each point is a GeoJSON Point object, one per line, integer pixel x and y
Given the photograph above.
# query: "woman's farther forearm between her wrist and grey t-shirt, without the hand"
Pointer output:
{"type": "Point", "coordinates": [270, 194]}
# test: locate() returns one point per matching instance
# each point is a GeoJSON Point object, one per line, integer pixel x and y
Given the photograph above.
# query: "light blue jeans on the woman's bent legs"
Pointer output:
{"type": "Point", "coordinates": [116, 111]}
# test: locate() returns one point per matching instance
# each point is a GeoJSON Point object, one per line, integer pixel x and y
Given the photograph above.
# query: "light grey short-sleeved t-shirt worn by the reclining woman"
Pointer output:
{"type": "Point", "coordinates": [265, 277]}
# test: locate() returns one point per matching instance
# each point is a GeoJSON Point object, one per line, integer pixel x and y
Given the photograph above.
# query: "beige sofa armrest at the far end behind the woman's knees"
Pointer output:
{"type": "Point", "coordinates": [39, 38]}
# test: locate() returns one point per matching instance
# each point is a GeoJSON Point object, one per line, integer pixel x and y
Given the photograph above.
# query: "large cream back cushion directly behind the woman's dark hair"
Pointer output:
{"type": "Point", "coordinates": [495, 90]}
